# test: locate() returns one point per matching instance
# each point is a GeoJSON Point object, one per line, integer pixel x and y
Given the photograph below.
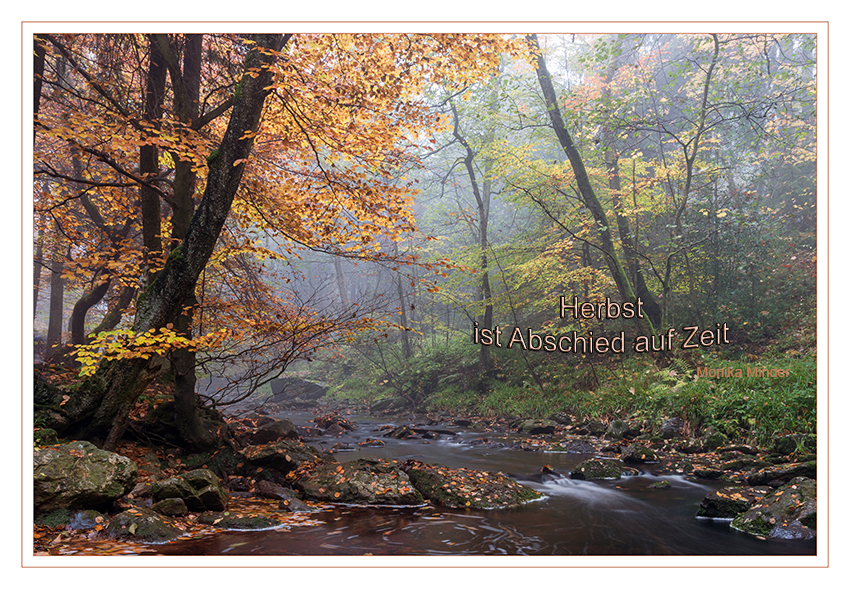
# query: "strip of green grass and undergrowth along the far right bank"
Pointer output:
{"type": "Point", "coordinates": [535, 385]}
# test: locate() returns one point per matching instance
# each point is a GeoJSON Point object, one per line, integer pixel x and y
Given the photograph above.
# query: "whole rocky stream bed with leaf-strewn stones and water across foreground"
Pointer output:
{"type": "Point", "coordinates": [301, 481]}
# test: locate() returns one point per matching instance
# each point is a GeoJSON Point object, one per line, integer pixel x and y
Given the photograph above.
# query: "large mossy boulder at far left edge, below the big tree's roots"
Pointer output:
{"type": "Point", "coordinates": [78, 475]}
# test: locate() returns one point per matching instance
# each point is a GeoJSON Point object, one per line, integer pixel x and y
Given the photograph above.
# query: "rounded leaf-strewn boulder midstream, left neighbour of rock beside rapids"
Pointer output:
{"type": "Point", "coordinates": [364, 481]}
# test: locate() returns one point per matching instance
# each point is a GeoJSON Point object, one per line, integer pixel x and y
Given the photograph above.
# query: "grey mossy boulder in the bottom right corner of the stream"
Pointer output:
{"type": "Point", "coordinates": [789, 513]}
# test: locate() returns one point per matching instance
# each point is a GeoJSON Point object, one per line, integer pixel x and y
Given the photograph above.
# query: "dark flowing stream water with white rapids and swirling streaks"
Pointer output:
{"type": "Point", "coordinates": [623, 517]}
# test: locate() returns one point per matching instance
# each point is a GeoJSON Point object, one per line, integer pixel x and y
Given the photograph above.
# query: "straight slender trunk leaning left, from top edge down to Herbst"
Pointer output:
{"type": "Point", "coordinates": [588, 195]}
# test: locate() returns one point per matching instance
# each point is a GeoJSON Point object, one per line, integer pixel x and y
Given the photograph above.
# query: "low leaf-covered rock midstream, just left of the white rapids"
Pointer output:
{"type": "Point", "coordinates": [466, 488]}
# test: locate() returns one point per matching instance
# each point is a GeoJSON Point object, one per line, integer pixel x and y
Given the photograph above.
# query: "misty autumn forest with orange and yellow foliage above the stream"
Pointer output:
{"type": "Point", "coordinates": [235, 204]}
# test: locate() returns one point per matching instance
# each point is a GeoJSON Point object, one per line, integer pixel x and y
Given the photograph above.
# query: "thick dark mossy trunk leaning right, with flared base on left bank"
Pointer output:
{"type": "Point", "coordinates": [103, 401]}
